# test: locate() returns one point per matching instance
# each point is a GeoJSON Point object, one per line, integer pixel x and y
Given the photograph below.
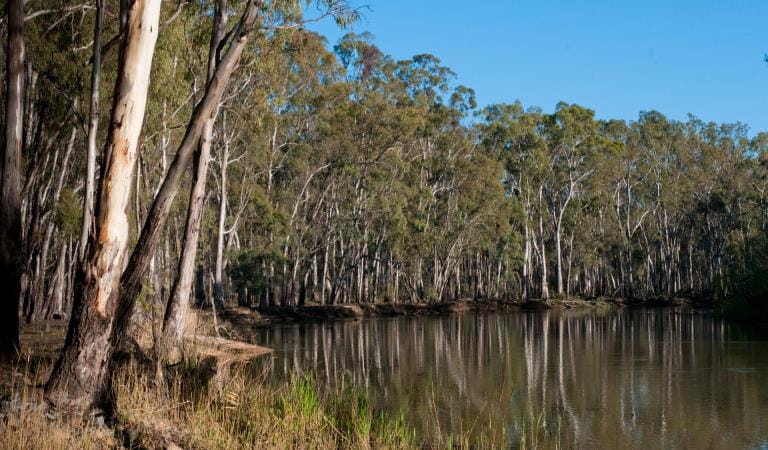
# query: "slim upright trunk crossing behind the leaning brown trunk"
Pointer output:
{"type": "Point", "coordinates": [174, 321]}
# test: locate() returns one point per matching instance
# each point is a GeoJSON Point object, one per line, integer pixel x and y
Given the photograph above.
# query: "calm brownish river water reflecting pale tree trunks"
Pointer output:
{"type": "Point", "coordinates": [630, 378]}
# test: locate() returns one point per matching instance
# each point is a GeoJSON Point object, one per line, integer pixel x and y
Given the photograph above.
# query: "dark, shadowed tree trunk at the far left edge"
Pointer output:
{"type": "Point", "coordinates": [10, 184]}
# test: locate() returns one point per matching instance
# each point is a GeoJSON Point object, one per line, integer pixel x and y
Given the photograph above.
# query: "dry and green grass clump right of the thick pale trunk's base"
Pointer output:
{"type": "Point", "coordinates": [246, 413]}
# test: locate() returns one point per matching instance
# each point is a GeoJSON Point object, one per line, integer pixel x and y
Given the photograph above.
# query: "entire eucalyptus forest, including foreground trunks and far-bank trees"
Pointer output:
{"type": "Point", "coordinates": [160, 157]}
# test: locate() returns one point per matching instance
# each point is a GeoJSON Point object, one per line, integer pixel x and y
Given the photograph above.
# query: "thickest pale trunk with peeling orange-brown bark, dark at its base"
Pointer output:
{"type": "Point", "coordinates": [79, 379]}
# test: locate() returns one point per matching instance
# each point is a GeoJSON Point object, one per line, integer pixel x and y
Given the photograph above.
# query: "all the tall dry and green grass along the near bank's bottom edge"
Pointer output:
{"type": "Point", "coordinates": [190, 411]}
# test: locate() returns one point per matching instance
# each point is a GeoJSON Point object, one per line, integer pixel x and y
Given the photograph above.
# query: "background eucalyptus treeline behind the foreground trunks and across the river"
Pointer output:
{"type": "Point", "coordinates": [345, 176]}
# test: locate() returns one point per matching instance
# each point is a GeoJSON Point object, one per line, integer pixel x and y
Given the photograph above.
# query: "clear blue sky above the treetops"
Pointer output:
{"type": "Point", "coordinates": [618, 57]}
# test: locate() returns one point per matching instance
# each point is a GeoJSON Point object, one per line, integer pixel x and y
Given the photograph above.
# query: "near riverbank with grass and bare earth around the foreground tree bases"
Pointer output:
{"type": "Point", "coordinates": [210, 399]}
